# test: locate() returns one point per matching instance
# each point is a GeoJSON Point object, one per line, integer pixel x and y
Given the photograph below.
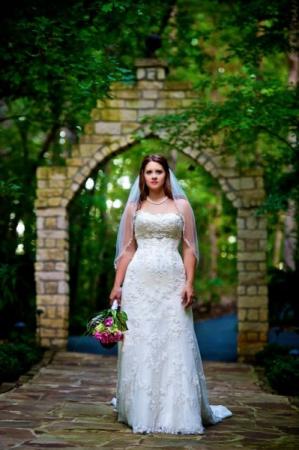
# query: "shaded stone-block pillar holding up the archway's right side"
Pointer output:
{"type": "Point", "coordinates": [252, 288]}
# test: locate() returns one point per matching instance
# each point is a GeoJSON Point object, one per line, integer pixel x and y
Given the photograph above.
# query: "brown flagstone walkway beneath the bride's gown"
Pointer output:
{"type": "Point", "coordinates": [65, 406]}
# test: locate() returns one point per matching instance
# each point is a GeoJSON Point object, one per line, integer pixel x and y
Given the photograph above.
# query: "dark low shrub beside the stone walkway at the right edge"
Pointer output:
{"type": "Point", "coordinates": [282, 369]}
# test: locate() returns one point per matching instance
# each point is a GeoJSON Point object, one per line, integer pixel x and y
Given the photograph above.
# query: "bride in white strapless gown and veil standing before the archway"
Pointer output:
{"type": "Point", "coordinates": [161, 384]}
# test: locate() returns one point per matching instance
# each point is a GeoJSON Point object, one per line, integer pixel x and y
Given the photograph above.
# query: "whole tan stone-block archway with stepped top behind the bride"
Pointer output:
{"type": "Point", "coordinates": [112, 123]}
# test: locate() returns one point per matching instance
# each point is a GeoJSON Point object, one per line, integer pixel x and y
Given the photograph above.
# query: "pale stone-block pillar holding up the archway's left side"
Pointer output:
{"type": "Point", "coordinates": [51, 266]}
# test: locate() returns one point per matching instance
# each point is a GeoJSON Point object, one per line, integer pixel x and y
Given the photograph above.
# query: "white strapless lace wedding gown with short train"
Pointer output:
{"type": "Point", "coordinates": [161, 384]}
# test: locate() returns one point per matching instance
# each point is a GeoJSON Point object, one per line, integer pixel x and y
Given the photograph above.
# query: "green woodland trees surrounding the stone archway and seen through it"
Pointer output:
{"type": "Point", "coordinates": [59, 57]}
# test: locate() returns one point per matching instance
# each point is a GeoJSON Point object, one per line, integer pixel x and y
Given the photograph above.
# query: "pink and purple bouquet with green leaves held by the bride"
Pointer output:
{"type": "Point", "coordinates": [108, 326]}
